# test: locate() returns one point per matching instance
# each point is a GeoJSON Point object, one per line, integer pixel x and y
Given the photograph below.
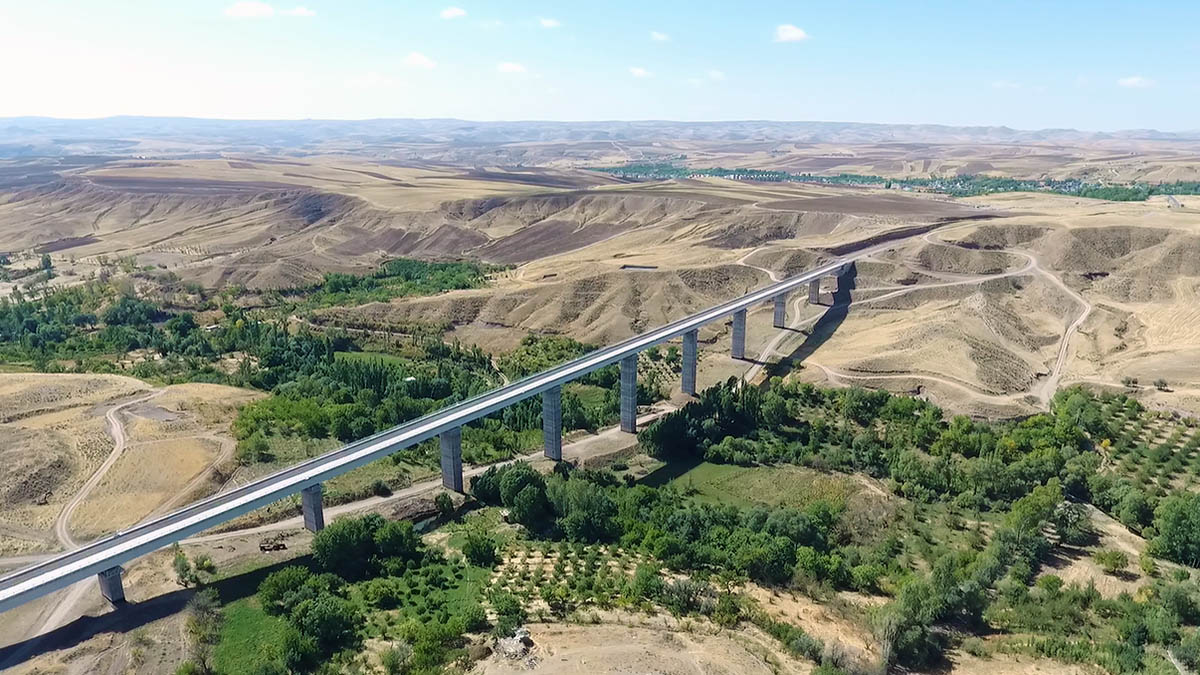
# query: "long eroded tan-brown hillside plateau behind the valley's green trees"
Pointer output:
{"type": "Point", "coordinates": [263, 224]}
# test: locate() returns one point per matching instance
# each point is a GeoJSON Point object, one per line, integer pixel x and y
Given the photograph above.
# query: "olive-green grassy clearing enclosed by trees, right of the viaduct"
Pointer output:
{"type": "Point", "coordinates": [767, 486]}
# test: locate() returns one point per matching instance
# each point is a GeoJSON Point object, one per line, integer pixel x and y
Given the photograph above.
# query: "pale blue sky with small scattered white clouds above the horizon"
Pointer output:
{"type": "Point", "coordinates": [1048, 64]}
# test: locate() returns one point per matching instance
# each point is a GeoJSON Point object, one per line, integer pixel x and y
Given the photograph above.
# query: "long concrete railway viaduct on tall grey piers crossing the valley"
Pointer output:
{"type": "Point", "coordinates": [104, 558]}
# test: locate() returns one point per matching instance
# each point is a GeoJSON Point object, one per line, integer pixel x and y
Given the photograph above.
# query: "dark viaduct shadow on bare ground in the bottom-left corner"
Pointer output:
{"type": "Point", "coordinates": [131, 617]}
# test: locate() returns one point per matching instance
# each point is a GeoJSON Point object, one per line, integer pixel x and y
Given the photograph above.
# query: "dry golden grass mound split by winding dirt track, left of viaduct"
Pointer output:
{"type": "Point", "coordinates": [56, 438]}
